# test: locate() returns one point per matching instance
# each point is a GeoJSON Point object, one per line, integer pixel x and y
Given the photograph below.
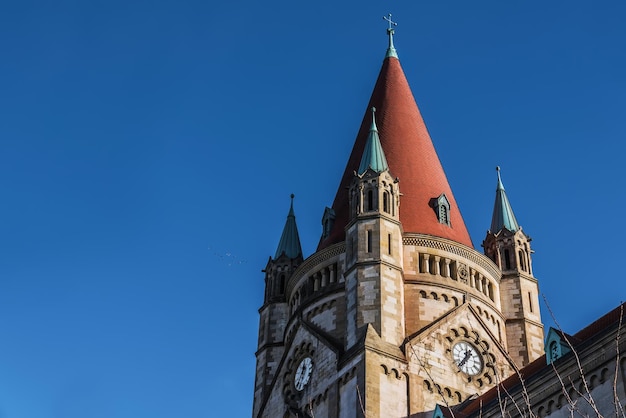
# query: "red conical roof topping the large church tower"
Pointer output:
{"type": "Point", "coordinates": [411, 157]}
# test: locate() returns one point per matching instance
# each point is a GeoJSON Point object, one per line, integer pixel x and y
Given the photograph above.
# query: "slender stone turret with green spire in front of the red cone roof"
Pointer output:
{"type": "Point", "coordinates": [374, 245]}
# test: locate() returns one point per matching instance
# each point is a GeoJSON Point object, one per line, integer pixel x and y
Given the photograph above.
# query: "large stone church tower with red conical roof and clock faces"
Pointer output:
{"type": "Point", "coordinates": [395, 314]}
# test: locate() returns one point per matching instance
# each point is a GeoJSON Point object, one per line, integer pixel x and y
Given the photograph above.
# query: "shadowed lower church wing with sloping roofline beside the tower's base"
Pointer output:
{"type": "Point", "coordinates": [586, 378]}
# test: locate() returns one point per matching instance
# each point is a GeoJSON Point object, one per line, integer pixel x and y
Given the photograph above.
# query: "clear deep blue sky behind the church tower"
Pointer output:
{"type": "Point", "coordinates": [148, 150]}
